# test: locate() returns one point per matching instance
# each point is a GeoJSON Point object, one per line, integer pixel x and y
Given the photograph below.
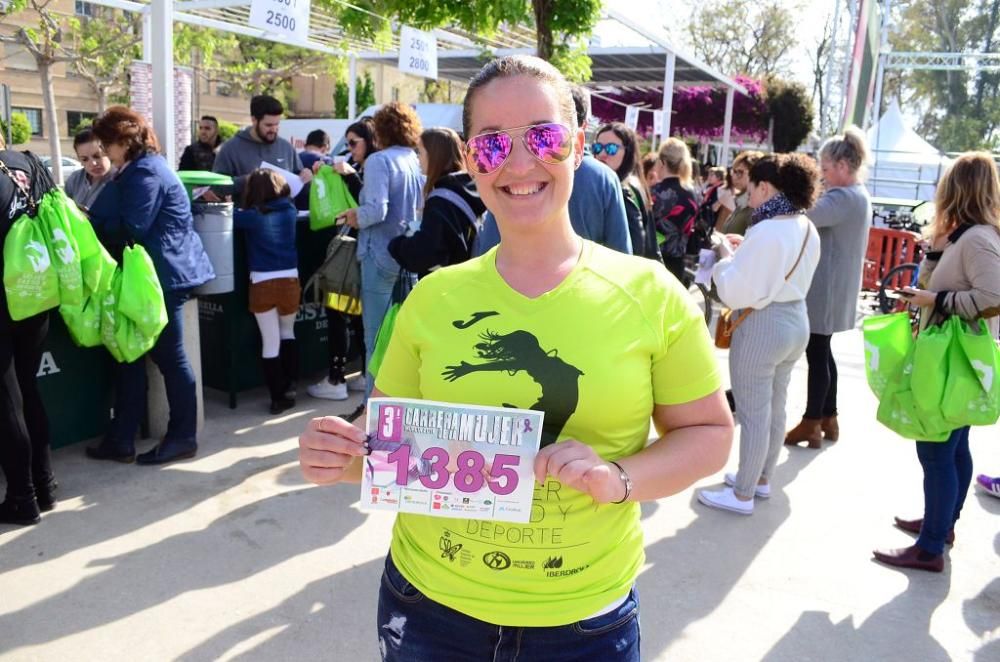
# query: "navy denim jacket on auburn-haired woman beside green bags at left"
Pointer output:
{"type": "Point", "coordinates": [146, 203]}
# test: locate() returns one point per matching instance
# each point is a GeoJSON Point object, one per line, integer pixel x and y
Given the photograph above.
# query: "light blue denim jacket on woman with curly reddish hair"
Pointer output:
{"type": "Point", "coordinates": [390, 199]}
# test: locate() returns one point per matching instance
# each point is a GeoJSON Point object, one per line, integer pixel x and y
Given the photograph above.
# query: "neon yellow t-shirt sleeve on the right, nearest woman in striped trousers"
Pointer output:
{"type": "Point", "coordinates": [685, 368]}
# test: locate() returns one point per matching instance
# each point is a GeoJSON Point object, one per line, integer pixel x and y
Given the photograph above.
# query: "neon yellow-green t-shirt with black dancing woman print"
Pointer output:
{"type": "Point", "coordinates": [616, 336]}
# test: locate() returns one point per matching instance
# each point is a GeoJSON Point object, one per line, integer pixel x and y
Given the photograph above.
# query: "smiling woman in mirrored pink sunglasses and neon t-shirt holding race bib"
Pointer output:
{"type": "Point", "coordinates": [599, 341]}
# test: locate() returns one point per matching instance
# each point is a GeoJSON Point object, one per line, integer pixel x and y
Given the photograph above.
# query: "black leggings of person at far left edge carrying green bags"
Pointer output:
{"type": "Point", "coordinates": [24, 428]}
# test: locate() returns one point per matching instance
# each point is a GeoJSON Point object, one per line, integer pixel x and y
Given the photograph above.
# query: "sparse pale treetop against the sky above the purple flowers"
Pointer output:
{"type": "Point", "coordinates": [744, 36]}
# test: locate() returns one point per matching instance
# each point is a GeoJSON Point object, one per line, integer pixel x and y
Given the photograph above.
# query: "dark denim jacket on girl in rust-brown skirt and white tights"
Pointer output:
{"type": "Point", "coordinates": [270, 236]}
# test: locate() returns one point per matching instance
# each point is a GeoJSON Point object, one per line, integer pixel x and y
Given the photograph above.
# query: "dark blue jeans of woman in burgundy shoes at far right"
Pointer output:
{"type": "Point", "coordinates": [947, 474]}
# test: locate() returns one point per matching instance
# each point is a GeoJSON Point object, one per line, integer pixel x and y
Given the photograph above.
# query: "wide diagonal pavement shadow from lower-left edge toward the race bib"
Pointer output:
{"type": "Point", "coordinates": [238, 545]}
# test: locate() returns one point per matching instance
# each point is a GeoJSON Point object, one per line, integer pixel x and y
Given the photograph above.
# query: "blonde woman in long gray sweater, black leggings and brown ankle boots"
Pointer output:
{"type": "Point", "coordinates": [842, 215]}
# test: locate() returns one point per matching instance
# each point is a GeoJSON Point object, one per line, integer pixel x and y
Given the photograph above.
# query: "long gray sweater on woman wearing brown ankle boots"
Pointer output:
{"type": "Point", "coordinates": [842, 215]}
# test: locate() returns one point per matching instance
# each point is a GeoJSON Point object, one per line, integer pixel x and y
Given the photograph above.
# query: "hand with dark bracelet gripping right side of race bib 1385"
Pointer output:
{"type": "Point", "coordinates": [576, 465]}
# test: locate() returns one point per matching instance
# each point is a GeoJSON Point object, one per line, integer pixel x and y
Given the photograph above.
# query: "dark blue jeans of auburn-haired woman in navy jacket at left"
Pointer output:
{"type": "Point", "coordinates": [178, 378]}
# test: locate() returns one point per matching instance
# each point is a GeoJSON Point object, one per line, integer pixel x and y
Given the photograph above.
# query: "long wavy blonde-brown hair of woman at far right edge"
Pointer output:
{"type": "Point", "coordinates": [969, 192]}
